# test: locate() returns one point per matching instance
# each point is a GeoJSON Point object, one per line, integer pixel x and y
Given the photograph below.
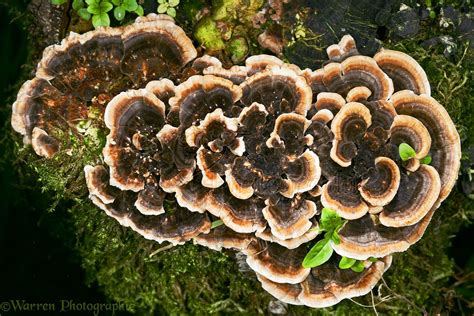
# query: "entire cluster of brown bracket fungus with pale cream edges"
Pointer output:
{"type": "Point", "coordinates": [263, 148]}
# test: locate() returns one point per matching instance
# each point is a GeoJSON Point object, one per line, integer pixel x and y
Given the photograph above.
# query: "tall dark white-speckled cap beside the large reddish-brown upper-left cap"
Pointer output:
{"type": "Point", "coordinates": [134, 118]}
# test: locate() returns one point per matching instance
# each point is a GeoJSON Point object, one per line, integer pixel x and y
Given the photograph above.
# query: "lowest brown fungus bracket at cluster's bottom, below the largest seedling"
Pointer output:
{"type": "Point", "coordinates": [324, 286]}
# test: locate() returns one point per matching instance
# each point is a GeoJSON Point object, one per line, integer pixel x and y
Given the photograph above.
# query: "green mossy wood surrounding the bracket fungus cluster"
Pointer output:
{"type": "Point", "coordinates": [194, 280]}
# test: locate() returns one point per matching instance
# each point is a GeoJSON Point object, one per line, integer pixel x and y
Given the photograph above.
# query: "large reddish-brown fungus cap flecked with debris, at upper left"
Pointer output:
{"type": "Point", "coordinates": [95, 66]}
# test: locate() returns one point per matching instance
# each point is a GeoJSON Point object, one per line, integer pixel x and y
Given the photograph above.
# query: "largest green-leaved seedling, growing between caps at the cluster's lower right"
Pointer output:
{"type": "Point", "coordinates": [322, 251]}
